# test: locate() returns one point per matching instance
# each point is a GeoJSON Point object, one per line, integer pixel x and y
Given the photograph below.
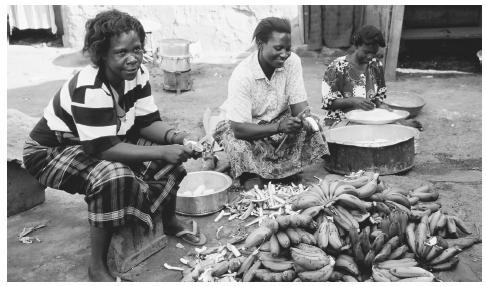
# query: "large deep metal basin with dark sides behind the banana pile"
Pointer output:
{"type": "Point", "coordinates": [385, 149]}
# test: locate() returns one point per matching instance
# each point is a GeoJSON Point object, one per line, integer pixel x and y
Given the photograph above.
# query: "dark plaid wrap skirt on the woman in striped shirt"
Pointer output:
{"type": "Point", "coordinates": [116, 193]}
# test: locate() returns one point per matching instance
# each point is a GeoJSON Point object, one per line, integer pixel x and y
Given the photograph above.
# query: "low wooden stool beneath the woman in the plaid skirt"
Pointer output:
{"type": "Point", "coordinates": [132, 244]}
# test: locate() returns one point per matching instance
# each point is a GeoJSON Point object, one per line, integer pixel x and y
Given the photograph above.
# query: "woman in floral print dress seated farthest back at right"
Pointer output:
{"type": "Point", "coordinates": [357, 80]}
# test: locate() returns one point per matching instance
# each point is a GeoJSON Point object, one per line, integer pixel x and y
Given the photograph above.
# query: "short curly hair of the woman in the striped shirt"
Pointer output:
{"type": "Point", "coordinates": [105, 25]}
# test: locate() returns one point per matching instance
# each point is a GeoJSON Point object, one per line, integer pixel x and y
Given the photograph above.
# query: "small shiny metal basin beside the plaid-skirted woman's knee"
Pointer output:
{"type": "Point", "coordinates": [210, 201]}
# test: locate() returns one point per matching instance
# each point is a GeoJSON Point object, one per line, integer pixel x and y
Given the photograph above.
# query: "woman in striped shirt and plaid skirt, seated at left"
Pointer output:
{"type": "Point", "coordinates": [101, 135]}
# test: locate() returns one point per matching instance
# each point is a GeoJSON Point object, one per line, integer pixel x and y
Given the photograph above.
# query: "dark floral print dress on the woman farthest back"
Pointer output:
{"type": "Point", "coordinates": [341, 81]}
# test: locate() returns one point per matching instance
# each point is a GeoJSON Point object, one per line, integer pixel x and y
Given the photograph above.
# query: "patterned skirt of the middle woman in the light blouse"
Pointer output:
{"type": "Point", "coordinates": [259, 157]}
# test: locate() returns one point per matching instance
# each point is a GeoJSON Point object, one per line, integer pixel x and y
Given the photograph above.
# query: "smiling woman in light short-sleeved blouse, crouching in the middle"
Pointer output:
{"type": "Point", "coordinates": [265, 108]}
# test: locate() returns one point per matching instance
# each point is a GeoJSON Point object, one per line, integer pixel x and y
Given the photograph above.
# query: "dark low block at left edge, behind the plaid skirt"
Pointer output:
{"type": "Point", "coordinates": [23, 191]}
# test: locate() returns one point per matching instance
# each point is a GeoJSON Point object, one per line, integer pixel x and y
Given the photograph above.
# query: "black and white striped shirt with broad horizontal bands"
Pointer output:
{"type": "Point", "coordinates": [83, 111]}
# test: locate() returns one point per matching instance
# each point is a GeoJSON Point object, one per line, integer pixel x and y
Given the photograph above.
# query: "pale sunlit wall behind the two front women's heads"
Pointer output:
{"type": "Point", "coordinates": [220, 30]}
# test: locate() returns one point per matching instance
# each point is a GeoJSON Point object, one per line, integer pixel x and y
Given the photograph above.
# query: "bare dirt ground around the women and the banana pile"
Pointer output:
{"type": "Point", "coordinates": [449, 156]}
